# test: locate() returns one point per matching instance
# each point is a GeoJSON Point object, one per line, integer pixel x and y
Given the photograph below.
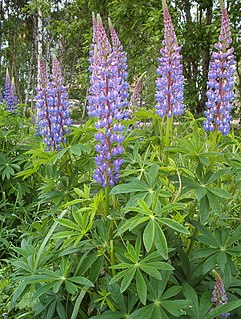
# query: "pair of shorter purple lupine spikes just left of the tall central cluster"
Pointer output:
{"type": "Point", "coordinates": [52, 106]}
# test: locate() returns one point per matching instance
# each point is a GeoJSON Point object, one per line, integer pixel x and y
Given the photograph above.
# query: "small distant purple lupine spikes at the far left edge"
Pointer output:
{"type": "Point", "coordinates": [10, 94]}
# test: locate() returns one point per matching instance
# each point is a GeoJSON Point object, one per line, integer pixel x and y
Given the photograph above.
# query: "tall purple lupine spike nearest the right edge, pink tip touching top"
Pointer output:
{"type": "Point", "coordinates": [221, 81]}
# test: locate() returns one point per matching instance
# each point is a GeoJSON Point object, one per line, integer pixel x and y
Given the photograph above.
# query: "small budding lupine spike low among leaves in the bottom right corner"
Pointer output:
{"type": "Point", "coordinates": [219, 296]}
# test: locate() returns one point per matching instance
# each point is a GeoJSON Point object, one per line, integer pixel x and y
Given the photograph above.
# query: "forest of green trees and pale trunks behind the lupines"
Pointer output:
{"type": "Point", "coordinates": [28, 28]}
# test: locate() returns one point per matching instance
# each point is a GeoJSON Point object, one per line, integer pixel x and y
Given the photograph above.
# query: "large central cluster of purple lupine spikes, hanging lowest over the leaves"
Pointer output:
{"type": "Point", "coordinates": [107, 98]}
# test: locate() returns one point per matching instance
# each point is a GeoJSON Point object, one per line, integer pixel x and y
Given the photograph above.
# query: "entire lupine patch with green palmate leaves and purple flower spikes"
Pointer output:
{"type": "Point", "coordinates": [132, 215]}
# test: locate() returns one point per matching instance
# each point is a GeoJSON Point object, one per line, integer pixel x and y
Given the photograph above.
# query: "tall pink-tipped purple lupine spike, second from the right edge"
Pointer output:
{"type": "Point", "coordinates": [170, 84]}
